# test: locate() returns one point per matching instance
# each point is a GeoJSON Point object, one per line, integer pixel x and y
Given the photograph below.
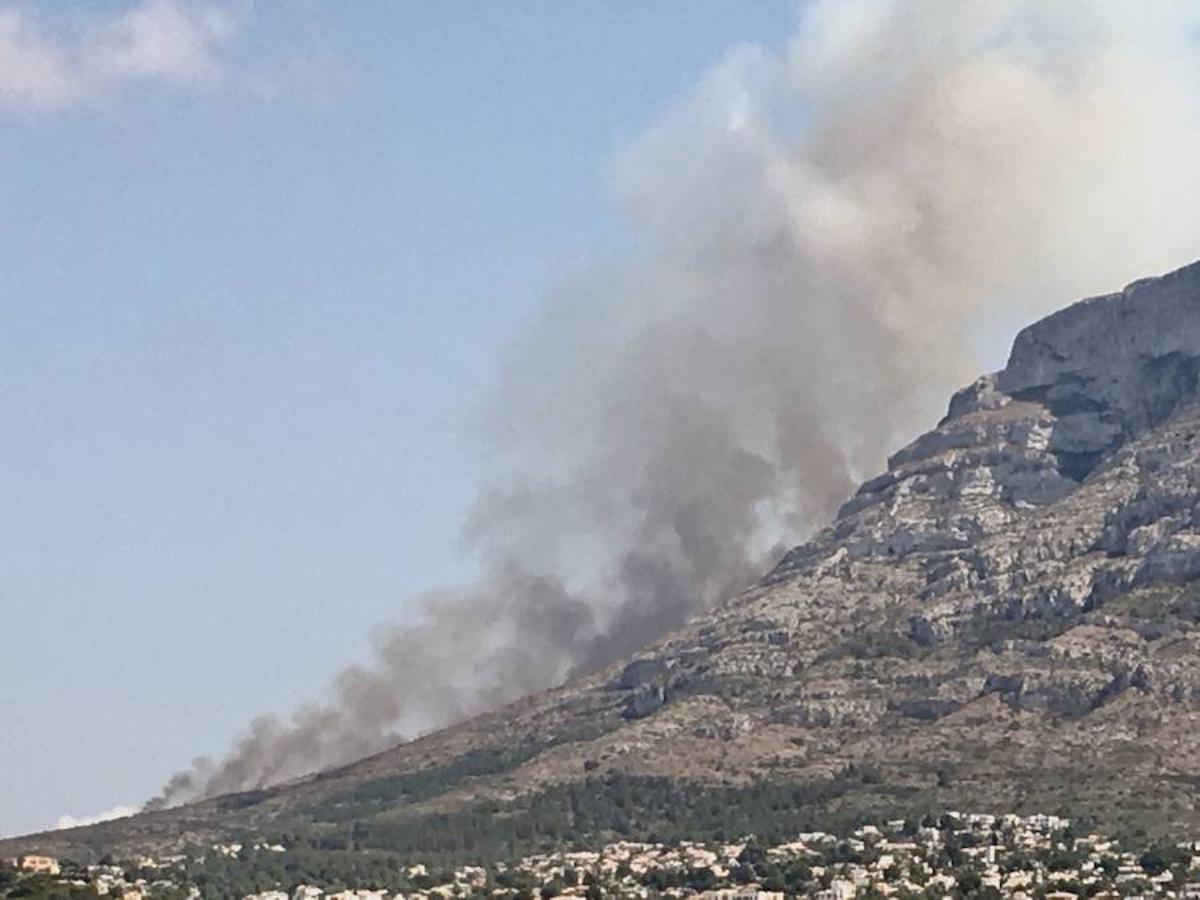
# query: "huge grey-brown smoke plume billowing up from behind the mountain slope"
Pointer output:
{"type": "Point", "coordinates": [821, 235]}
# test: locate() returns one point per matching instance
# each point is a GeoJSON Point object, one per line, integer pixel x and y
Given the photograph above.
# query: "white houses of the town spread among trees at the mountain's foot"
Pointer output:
{"type": "Point", "coordinates": [956, 855]}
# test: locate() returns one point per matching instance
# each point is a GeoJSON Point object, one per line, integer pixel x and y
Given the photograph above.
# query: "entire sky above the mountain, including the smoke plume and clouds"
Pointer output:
{"type": "Point", "coordinates": [262, 261]}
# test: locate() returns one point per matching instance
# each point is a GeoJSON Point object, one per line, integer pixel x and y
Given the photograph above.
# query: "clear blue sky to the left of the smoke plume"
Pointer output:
{"type": "Point", "coordinates": [250, 305]}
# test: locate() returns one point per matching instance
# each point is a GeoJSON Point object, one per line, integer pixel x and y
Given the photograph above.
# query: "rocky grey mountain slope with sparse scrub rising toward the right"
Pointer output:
{"type": "Point", "coordinates": [1006, 620]}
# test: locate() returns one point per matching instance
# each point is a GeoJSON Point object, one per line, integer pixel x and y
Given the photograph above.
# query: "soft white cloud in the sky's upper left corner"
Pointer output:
{"type": "Point", "coordinates": [55, 63]}
